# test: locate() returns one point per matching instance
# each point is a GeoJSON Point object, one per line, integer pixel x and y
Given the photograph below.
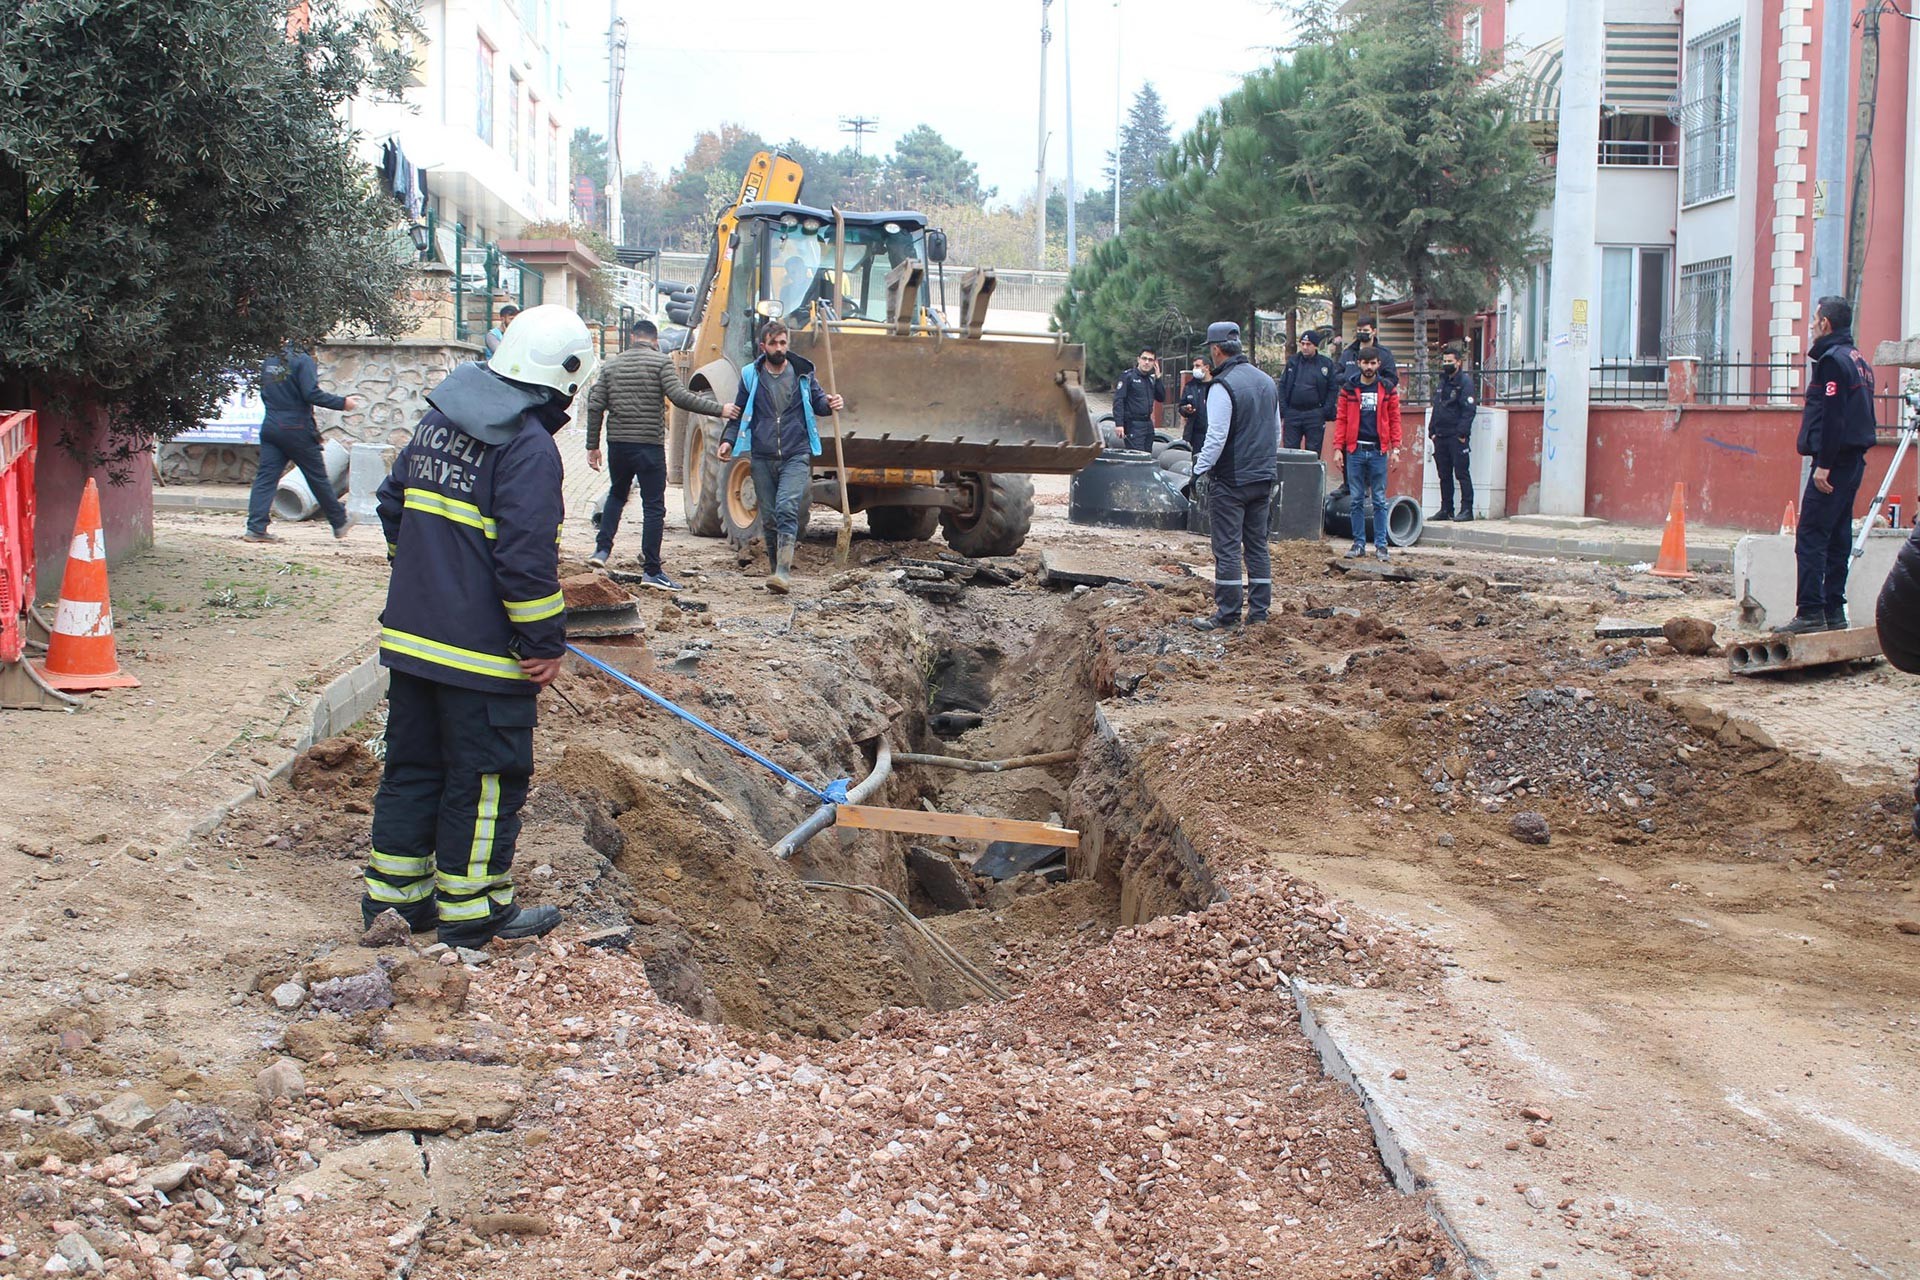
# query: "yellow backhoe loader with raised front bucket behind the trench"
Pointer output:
{"type": "Point", "coordinates": [946, 419]}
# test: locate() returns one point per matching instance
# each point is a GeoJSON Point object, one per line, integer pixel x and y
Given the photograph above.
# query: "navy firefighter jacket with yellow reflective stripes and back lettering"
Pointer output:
{"type": "Point", "coordinates": [473, 523]}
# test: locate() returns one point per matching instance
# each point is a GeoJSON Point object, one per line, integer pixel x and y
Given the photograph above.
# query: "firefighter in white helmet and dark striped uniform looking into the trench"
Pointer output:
{"type": "Point", "coordinates": [475, 627]}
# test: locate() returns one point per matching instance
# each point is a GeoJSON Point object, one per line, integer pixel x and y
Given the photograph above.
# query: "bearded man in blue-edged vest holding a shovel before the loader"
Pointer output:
{"type": "Point", "coordinates": [777, 406]}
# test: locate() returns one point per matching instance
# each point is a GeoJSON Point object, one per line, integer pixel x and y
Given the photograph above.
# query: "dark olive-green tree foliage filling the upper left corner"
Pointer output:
{"type": "Point", "coordinates": [178, 199]}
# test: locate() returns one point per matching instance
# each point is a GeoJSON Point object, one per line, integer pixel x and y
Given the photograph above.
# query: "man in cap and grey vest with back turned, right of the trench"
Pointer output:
{"type": "Point", "coordinates": [1236, 473]}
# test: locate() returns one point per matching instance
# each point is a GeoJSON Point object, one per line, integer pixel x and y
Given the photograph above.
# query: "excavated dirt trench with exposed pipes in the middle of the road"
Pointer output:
{"type": "Point", "coordinates": [734, 934]}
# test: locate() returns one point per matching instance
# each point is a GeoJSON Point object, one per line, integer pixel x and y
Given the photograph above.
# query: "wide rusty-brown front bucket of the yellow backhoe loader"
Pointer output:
{"type": "Point", "coordinates": [957, 404]}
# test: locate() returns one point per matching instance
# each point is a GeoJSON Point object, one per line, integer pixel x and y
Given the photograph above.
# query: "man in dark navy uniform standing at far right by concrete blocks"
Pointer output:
{"type": "Point", "coordinates": [1836, 433]}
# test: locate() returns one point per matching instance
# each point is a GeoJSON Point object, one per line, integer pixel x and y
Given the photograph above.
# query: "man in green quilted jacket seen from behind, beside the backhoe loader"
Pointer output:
{"type": "Point", "coordinates": [631, 398]}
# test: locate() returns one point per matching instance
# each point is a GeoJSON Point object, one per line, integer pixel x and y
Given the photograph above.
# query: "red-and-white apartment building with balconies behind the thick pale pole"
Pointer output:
{"type": "Point", "coordinates": [1706, 189]}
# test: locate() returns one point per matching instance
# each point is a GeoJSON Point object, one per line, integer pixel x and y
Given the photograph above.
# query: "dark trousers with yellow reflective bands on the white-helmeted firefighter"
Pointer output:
{"type": "Point", "coordinates": [448, 811]}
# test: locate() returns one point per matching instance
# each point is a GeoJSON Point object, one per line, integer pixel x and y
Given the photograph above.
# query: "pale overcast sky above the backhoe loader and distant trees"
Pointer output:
{"type": "Point", "coordinates": [969, 70]}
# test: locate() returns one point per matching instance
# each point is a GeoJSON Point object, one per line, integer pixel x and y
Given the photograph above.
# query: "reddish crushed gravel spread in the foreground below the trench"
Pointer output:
{"type": "Point", "coordinates": [1095, 1126]}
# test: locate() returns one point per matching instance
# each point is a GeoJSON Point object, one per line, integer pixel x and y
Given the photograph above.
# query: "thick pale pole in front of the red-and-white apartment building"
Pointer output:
{"type": "Point", "coordinates": [1570, 306]}
